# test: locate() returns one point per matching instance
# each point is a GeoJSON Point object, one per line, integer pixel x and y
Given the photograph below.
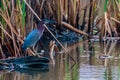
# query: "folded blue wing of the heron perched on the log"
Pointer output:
{"type": "Point", "coordinates": [32, 38]}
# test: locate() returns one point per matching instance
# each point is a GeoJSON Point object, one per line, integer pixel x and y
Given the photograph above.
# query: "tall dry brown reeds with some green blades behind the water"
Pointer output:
{"type": "Point", "coordinates": [16, 20]}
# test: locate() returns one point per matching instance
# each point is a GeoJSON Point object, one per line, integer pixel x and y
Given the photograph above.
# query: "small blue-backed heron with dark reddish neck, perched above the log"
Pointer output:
{"type": "Point", "coordinates": [34, 36]}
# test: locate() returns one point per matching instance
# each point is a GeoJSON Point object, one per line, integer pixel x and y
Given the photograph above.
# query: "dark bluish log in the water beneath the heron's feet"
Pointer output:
{"type": "Point", "coordinates": [29, 62]}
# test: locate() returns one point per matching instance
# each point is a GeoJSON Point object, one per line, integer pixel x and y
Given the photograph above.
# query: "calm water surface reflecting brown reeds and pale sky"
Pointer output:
{"type": "Point", "coordinates": [93, 62]}
